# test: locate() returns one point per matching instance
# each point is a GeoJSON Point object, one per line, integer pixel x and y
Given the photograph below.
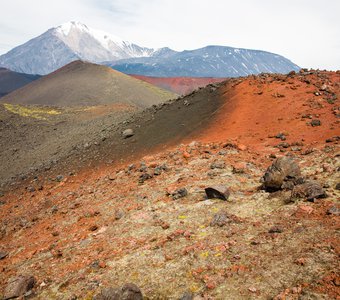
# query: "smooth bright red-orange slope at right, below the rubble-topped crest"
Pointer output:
{"type": "Point", "coordinates": [256, 109]}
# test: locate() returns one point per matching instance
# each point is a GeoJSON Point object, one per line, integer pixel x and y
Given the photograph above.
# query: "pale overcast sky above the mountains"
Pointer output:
{"type": "Point", "coordinates": [305, 31]}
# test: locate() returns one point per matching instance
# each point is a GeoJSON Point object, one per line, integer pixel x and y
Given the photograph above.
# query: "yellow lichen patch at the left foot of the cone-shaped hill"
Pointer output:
{"type": "Point", "coordinates": [40, 113]}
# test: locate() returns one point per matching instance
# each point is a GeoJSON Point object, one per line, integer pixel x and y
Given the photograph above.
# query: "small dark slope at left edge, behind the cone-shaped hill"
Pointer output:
{"type": "Point", "coordinates": [10, 81]}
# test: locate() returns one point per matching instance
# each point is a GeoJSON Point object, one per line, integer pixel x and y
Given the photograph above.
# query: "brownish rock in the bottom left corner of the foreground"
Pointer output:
{"type": "Point", "coordinates": [18, 286]}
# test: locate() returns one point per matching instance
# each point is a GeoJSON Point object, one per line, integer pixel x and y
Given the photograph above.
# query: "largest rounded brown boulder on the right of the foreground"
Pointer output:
{"type": "Point", "coordinates": [283, 169]}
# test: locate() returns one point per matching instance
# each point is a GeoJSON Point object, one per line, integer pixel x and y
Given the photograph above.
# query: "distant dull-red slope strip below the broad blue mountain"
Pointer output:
{"type": "Point", "coordinates": [179, 85]}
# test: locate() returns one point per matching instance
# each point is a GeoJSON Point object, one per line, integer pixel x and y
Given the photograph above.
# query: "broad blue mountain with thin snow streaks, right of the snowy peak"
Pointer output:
{"type": "Point", "coordinates": [210, 61]}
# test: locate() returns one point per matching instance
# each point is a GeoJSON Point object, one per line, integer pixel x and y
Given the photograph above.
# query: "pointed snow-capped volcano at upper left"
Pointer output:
{"type": "Point", "coordinates": [68, 42]}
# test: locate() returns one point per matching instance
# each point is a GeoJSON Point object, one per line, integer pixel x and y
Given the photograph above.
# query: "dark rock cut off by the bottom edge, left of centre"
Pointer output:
{"type": "Point", "coordinates": [128, 291]}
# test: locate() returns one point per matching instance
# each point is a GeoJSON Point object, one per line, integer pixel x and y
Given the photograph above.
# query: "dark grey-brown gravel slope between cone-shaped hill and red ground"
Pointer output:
{"type": "Point", "coordinates": [34, 139]}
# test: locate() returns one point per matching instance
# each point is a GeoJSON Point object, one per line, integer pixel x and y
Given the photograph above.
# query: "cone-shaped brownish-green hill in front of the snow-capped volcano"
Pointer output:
{"type": "Point", "coordinates": [81, 83]}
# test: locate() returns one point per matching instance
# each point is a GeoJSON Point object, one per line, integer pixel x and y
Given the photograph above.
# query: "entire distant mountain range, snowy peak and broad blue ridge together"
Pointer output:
{"type": "Point", "coordinates": [75, 41]}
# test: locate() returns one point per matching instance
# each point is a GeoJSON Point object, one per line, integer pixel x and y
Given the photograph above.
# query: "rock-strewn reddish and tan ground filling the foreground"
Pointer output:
{"type": "Point", "coordinates": [148, 229]}
